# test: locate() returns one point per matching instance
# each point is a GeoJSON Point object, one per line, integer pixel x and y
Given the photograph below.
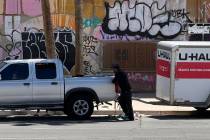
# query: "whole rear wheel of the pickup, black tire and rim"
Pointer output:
{"type": "Point", "coordinates": [79, 107]}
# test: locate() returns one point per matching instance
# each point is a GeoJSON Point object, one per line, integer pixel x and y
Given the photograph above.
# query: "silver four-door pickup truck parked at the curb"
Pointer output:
{"type": "Point", "coordinates": [40, 84]}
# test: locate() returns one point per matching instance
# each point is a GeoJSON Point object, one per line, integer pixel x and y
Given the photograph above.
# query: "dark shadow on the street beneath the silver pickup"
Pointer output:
{"type": "Point", "coordinates": [53, 120]}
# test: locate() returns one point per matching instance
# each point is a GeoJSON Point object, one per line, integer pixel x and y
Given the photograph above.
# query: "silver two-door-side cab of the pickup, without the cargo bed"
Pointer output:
{"type": "Point", "coordinates": [25, 83]}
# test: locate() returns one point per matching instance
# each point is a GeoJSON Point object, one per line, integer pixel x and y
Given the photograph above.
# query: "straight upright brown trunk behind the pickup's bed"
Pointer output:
{"type": "Point", "coordinates": [78, 27]}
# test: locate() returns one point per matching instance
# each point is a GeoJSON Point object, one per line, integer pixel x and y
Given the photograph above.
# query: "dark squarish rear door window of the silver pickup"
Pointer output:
{"type": "Point", "coordinates": [45, 70]}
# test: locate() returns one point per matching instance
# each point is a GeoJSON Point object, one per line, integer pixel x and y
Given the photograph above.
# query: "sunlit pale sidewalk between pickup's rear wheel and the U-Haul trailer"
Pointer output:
{"type": "Point", "coordinates": [145, 103]}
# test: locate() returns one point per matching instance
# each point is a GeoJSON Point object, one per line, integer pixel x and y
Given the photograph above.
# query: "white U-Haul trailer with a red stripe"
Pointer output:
{"type": "Point", "coordinates": [183, 73]}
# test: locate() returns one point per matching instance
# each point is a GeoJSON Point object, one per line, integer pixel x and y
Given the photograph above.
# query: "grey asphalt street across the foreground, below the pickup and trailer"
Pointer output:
{"type": "Point", "coordinates": [187, 127]}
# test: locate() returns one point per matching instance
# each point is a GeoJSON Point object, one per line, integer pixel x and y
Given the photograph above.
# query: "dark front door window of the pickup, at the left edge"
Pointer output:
{"type": "Point", "coordinates": [18, 71]}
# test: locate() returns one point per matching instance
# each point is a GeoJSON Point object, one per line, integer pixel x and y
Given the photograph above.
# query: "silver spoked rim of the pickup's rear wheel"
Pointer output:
{"type": "Point", "coordinates": [81, 107]}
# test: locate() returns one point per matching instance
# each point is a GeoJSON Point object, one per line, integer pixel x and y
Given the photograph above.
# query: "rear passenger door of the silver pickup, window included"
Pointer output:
{"type": "Point", "coordinates": [46, 84]}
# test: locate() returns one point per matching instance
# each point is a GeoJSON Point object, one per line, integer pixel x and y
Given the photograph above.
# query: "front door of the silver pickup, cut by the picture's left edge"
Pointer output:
{"type": "Point", "coordinates": [16, 85]}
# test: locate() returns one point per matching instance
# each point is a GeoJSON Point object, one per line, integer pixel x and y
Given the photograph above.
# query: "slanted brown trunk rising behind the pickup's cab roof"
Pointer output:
{"type": "Point", "coordinates": [48, 29]}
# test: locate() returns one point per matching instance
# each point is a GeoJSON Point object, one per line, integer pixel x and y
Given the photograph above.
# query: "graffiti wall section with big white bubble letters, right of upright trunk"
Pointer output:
{"type": "Point", "coordinates": [129, 20]}
